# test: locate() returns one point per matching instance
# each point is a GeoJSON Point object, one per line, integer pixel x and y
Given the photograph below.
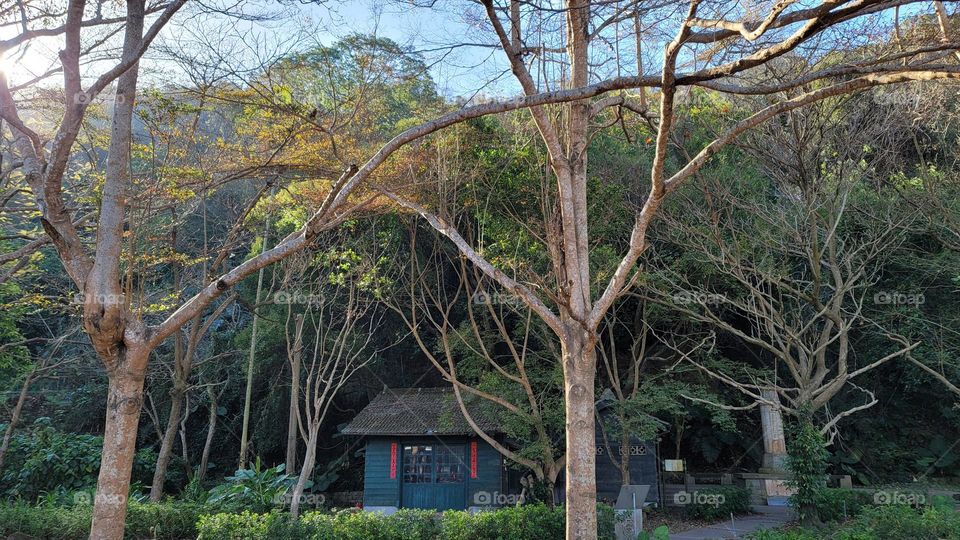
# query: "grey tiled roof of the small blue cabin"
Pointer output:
{"type": "Point", "coordinates": [420, 411]}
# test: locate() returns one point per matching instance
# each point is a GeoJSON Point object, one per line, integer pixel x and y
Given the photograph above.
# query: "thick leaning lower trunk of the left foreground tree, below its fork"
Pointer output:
{"type": "Point", "coordinates": [124, 401]}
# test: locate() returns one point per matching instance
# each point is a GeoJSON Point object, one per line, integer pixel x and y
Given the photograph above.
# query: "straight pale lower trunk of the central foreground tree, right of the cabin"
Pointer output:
{"type": "Point", "coordinates": [579, 366]}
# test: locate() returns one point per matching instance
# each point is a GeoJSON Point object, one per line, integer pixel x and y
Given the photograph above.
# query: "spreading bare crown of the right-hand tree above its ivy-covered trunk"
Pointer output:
{"type": "Point", "coordinates": [800, 284]}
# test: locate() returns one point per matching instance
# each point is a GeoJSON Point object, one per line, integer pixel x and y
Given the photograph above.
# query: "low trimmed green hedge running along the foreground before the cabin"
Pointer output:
{"type": "Point", "coordinates": [178, 520]}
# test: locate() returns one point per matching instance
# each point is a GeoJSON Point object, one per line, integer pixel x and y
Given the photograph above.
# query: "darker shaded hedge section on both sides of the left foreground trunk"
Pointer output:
{"type": "Point", "coordinates": [161, 521]}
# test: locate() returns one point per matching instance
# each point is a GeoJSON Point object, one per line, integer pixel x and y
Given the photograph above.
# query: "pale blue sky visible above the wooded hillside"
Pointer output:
{"type": "Point", "coordinates": [221, 42]}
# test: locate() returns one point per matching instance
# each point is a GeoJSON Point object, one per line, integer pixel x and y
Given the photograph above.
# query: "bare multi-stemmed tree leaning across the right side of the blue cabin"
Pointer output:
{"type": "Point", "coordinates": [433, 293]}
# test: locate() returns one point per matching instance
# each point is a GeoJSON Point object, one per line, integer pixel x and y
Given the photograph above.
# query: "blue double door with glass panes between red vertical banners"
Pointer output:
{"type": "Point", "coordinates": [434, 477]}
